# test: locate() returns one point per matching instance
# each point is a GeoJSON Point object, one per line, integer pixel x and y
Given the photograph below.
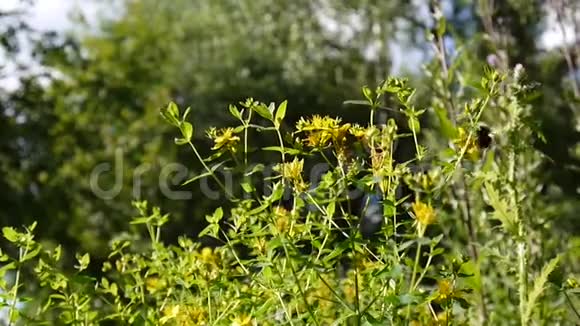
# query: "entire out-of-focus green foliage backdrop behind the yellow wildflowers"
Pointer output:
{"type": "Point", "coordinates": [102, 85]}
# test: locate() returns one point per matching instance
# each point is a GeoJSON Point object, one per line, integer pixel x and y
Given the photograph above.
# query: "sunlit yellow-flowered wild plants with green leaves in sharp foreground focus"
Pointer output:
{"type": "Point", "coordinates": [298, 252]}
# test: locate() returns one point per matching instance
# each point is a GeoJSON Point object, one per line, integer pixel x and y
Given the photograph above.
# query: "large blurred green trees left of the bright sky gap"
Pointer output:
{"type": "Point", "coordinates": [100, 104]}
